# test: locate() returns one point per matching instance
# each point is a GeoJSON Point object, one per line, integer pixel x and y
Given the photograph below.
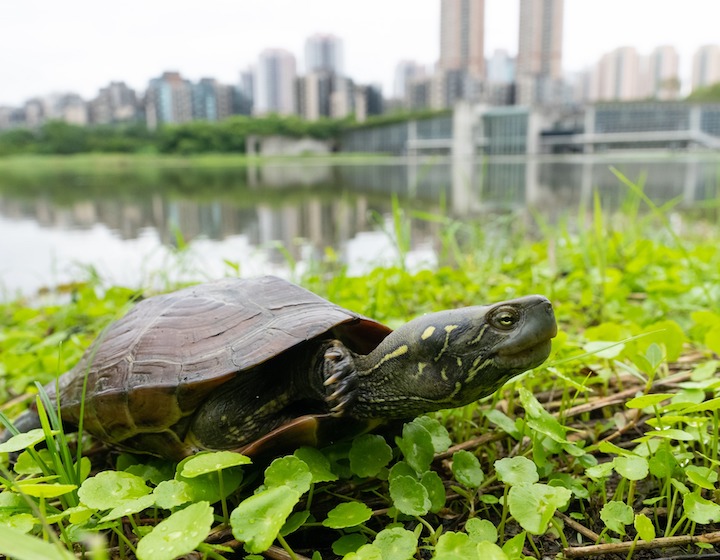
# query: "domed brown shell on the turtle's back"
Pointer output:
{"type": "Point", "coordinates": [159, 362]}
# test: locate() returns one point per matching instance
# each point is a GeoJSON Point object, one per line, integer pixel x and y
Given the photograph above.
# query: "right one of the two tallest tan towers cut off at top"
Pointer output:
{"type": "Point", "coordinates": [539, 60]}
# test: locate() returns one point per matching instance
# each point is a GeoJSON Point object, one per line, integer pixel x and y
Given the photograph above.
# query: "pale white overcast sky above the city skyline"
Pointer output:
{"type": "Point", "coordinates": [81, 45]}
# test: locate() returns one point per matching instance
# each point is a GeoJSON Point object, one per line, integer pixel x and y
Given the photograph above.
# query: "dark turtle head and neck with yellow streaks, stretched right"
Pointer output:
{"type": "Point", "coordinates": [451, 358]}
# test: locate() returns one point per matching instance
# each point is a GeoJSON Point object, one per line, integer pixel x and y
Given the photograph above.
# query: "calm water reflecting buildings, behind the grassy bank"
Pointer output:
{"type": "Point", "coordinates": [135, 227]}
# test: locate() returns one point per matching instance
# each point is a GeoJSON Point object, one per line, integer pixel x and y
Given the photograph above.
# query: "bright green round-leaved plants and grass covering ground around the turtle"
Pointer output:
{"type": "Point", "coordinates": [610, 448]}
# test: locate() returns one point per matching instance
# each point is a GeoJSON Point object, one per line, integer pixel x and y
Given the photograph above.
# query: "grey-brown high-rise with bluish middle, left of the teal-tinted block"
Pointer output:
{"type": "Point", "coordinates": [168, 100]}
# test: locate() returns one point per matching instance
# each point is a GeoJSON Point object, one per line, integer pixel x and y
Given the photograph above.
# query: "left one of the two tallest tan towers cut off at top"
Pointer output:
{"type": "Point", "coordinates": [462, 28]}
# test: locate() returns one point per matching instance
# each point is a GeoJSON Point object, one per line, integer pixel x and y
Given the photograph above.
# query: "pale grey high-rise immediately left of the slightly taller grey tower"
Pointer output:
{"type": "Point", "coordinates": [275, 83]}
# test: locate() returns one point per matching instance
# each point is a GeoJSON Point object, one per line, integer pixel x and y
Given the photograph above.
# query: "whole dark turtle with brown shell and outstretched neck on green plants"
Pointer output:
{"type": "Point", "coordinates": [262, 364]}
